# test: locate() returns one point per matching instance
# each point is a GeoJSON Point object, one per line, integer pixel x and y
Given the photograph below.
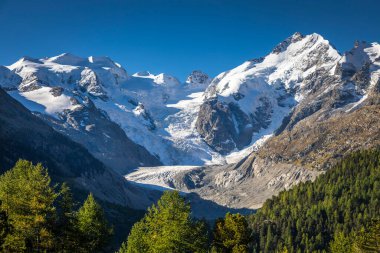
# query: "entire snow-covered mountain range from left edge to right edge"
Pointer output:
{"type": "Point", "coordinates": [145, 119]}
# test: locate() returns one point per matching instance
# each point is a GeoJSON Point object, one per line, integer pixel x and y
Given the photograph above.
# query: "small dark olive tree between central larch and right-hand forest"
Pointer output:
{"type": "Point", "coordinates": [231, 234]}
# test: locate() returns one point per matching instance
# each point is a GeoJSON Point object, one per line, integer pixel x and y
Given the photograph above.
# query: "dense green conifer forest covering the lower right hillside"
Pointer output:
{"type": "Point", "coordinates": [306, 218]}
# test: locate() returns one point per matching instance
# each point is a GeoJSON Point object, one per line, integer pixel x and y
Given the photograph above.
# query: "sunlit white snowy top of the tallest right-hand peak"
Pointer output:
{"type": "Point", "coordinates": [285, 68]}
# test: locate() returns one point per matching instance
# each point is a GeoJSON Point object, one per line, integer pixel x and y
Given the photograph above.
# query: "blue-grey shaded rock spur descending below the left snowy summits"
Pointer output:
{"type": "Point", "coordinates": [103, 138]}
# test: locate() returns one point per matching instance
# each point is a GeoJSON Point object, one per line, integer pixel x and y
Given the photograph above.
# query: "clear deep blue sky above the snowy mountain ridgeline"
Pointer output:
{"type": "Point", "coordinates": [177, 36]}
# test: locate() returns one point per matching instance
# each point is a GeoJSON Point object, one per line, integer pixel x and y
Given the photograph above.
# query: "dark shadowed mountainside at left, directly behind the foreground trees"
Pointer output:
{"type": "Point", "coordinates": [25, 136]}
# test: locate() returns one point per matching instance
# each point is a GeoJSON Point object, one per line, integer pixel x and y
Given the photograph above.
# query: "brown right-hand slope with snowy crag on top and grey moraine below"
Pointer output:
{"type": "Point", "coordinates": [337, 115]}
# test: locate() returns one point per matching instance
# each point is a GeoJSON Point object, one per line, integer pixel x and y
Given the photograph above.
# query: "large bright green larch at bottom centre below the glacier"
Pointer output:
{"type": "Point", "coordinates": [168, 227]}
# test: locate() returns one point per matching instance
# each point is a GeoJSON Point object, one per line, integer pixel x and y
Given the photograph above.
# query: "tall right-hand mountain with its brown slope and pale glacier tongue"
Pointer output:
{"type": "Point", "coordinates": [320, 106]}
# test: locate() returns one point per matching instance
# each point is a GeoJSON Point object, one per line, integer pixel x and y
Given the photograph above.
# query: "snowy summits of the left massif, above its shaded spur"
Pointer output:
{"type": "Point", "coordinates": [67, 70]}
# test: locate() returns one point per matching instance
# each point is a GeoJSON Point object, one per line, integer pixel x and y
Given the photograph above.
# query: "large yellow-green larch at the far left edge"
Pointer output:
{"type": "Point", "coordinates": [28, 199]}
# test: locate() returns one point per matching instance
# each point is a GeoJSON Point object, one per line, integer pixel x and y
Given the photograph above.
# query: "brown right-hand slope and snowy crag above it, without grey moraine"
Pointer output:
{"type": "Point", "coordinates": [346, 118]}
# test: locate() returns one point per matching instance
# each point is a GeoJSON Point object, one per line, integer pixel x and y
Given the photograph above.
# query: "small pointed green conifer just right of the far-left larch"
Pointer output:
{"type": "Point", "coordinates": [92, 226]}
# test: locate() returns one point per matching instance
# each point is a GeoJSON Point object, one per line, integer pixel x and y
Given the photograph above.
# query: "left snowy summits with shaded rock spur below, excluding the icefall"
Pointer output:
{"type": "Point", "coordinates": [62, 95]}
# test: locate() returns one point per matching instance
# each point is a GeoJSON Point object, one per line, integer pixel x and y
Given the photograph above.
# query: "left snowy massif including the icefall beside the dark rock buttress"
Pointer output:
{"type": "Point", "coordinates": [97, 104]}
